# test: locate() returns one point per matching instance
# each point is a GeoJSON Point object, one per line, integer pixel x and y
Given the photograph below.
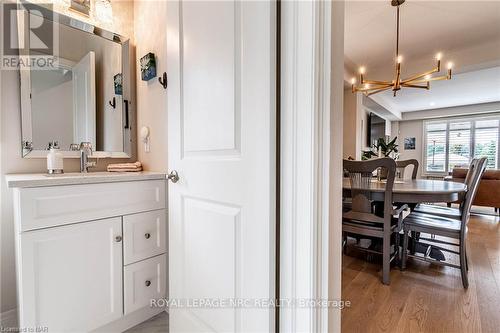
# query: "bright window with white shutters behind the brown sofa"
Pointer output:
{"type": "Point", "coordinates": [452, 143]}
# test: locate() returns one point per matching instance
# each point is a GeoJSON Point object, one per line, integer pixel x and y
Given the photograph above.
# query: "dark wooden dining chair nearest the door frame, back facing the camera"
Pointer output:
{"type": "Point", "coordinates": [361, 220]}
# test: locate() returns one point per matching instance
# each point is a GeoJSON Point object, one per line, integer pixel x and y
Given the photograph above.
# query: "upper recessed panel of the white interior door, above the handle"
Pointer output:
{"type": "Point", "coordinates": [209, 54]}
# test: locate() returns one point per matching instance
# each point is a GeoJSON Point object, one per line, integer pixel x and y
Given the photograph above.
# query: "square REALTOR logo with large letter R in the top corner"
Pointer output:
{"type": "Point", "coordinates": [29, 37]}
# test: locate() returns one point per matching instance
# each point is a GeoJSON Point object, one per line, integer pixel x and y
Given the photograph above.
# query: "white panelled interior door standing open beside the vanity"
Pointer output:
{"type": "Point", "coordinates": [221, 131]}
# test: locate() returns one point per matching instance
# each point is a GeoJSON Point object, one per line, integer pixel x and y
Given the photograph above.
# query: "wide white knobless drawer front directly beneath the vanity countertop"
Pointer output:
{"type": "Point", "coordinates": [57, 205]}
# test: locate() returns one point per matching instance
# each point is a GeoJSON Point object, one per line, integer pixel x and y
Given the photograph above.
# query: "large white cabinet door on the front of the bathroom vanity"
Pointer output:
{"type": "Point", "coordinates": [71, 276]}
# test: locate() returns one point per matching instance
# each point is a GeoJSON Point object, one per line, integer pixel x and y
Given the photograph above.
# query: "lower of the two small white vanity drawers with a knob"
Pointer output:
{"type": "Point", "coordinates": [143, 281]}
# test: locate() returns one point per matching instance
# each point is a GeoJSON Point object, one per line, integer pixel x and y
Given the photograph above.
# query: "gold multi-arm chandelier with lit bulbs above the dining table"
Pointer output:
{"type": "Point", "coordinates": [421, 81]}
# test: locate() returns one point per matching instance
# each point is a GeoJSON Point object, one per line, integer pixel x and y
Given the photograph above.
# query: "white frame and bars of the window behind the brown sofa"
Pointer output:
{"type": "Point", "coordinates": [447, 121]}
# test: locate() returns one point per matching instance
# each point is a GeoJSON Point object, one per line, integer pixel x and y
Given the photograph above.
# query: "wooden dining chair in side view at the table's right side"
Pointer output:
{"type": "Point", "coordinates": [445, 227]}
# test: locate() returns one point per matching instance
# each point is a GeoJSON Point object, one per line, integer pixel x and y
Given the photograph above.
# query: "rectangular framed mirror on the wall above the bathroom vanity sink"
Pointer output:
{"type": "Point", "coordinates": [85, 96]}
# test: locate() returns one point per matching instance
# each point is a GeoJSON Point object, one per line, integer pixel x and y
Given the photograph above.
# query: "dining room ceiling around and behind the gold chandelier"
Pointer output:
{"type": "Point", "coordinates": [466, 32]}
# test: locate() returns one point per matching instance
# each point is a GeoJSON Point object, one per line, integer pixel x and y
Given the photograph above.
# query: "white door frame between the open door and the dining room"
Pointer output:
{"type": "Point", "coordinates": [312, 65]}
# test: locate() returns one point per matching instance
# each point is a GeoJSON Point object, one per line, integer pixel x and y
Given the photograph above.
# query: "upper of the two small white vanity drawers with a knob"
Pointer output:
{"type": "Point", "coordinates": [144, 235]}
